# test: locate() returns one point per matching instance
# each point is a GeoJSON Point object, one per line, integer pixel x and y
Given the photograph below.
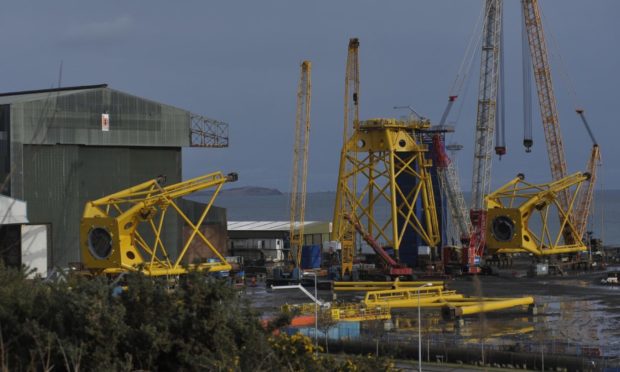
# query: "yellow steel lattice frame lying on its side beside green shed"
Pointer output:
{"type": "Point", "coordinates": [123, 231]}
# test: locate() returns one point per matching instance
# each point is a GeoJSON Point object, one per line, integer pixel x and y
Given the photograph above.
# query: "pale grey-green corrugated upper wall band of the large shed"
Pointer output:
{"type": "Point", "coordinates": [76, 119]}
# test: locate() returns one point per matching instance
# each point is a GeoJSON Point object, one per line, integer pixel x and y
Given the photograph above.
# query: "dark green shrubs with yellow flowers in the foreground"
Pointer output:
{"type": "Point", "coordinates": [200, 324]}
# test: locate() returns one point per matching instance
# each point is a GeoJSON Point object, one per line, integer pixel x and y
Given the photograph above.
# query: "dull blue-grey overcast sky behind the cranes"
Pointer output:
{"type": "Point", "coordinates": [238, 61]}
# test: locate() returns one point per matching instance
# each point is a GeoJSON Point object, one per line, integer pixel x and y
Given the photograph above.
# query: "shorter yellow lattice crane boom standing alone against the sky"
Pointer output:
{"type": "Point", "coordinates": [300, 162]}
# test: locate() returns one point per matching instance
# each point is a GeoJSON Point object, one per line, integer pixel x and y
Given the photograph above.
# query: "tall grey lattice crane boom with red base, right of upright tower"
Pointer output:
{"type": "Point", "coordinates": [485, 125]}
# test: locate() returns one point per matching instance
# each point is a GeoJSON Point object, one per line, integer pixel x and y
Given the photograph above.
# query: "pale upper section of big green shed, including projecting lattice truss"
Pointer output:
{"type": "Point", "coordinates": [97, 115]}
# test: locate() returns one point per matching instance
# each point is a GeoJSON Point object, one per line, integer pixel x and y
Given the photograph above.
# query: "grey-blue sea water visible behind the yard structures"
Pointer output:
{"type": "Point", "coordinates": [605, 221]}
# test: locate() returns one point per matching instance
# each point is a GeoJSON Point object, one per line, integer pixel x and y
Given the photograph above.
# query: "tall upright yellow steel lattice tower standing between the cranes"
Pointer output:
{"type": "Point", "coordinates": [379, 152]}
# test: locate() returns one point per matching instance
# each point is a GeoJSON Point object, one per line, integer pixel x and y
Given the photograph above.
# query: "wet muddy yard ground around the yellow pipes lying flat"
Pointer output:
{"type": "Point", "coordinates": [576, 314]}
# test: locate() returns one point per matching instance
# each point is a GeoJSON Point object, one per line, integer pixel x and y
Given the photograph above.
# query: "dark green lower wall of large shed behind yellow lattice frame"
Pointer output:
{"type": "Point", "coordinates": [58, 180]}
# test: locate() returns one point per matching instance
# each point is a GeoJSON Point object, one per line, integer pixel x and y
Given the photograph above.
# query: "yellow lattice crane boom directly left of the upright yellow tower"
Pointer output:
{"type": "Point", "coordinates": [344, 232]}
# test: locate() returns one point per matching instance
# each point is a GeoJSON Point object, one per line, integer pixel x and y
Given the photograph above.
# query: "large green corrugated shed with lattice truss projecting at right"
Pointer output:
{"type": "Point", "coordinates": [62, 147]}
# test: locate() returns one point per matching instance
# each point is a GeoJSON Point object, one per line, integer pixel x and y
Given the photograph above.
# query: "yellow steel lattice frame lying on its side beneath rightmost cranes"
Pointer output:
{"type": "Point", "coordinates": [514, 205]}
